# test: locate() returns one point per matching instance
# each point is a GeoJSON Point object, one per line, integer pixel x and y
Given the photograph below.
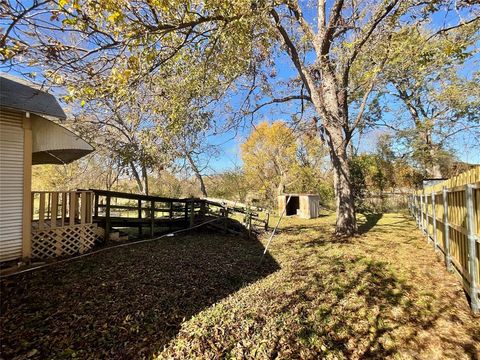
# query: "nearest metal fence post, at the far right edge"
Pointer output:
{"type": "Point", "coordinates": [472, 250]}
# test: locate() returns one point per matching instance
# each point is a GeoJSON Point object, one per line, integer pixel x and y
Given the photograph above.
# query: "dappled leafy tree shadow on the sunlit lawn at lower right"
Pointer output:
{"type": "Point", "coordinates": [366, 311]}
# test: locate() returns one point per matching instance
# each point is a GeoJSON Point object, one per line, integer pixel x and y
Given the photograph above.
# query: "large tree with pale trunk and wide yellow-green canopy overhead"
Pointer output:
{"type": "Point", "coordinates": [187, 59]}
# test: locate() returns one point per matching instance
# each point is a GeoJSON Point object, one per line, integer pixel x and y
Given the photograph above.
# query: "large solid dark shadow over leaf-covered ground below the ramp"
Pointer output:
{"type": "Point", "coordinates": [126, 302]}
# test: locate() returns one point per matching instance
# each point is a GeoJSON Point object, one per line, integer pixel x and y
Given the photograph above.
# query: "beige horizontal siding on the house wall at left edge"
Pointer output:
{"type": "Point", "coordinates": [11, 184]}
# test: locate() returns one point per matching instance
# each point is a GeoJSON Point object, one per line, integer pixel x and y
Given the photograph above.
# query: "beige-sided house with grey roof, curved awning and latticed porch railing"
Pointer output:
{"type": "Point", "coordinates": [29, 137]}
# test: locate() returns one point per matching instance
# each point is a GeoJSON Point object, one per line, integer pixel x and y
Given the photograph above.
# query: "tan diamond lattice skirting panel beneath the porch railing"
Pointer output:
{"type": "Point", "coordinates": [61, 241]}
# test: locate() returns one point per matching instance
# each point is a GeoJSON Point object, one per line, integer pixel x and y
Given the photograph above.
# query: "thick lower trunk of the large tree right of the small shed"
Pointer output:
{"type": "Point", "coordinates": [346, 224]}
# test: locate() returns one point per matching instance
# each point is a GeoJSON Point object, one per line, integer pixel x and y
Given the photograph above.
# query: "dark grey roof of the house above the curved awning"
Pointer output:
{"type": "Point", "coordinates": [16, 93]}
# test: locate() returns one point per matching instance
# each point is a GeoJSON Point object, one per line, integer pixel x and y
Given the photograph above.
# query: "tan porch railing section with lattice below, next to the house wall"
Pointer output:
{"type": "Point", "coordinates": [62, 223]}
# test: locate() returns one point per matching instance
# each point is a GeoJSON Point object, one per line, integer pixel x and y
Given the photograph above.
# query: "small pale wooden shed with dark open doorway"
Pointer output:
{"type": "Point", "coordinates": [306, 206]}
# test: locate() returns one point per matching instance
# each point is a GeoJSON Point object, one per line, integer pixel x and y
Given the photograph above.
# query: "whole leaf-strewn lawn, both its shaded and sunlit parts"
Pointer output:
{"type": "Point", "coordinates": [382, 294]}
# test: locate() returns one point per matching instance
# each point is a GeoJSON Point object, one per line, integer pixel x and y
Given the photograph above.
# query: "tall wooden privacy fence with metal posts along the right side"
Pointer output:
{"type": "Point", "coordinates": [449, 215]}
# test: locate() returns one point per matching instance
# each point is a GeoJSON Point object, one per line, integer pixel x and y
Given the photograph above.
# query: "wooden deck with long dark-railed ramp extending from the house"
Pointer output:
{"type": "Point", "coordinates": [69, 222]}
